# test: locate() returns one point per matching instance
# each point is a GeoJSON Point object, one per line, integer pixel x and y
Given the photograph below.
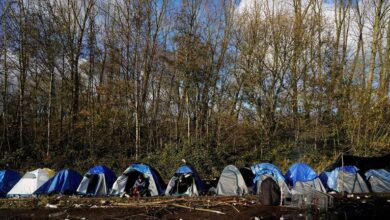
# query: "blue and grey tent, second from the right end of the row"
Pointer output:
{"type": "Point", "coordinates": [344, 179]}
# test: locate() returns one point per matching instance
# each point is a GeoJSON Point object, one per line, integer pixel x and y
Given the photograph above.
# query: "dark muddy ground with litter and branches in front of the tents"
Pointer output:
{"type": "Point", "coordinates": [357, 207]}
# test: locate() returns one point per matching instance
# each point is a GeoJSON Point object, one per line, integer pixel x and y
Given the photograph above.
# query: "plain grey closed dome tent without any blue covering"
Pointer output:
{"type": "Point", "coordinates": [231, 182]}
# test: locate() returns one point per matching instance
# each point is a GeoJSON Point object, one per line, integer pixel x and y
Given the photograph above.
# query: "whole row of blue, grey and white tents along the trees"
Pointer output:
{"type": "Point", "coordinates": [142, 179]}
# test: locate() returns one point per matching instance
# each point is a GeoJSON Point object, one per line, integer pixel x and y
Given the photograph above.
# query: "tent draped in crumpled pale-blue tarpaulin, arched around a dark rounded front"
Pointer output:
{"type": "Point", "coordinates": [263, 171]}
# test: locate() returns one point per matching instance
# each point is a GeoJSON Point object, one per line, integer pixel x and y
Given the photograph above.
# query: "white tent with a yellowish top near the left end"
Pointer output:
{"type": "Point", "coordinates": [30, 182]}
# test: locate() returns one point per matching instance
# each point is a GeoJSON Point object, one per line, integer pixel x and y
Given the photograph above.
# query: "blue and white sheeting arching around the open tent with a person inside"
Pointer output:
{"type": "Point", "coordinates": [156, 184]}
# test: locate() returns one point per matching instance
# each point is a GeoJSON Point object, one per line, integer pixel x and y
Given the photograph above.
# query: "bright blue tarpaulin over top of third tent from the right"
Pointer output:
{"type": "Point", "coordinates": [300, 172]}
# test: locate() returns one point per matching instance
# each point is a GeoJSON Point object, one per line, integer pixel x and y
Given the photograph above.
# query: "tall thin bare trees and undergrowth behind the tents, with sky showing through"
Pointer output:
{"type": "Point", "coordinates": [213, 82]}
